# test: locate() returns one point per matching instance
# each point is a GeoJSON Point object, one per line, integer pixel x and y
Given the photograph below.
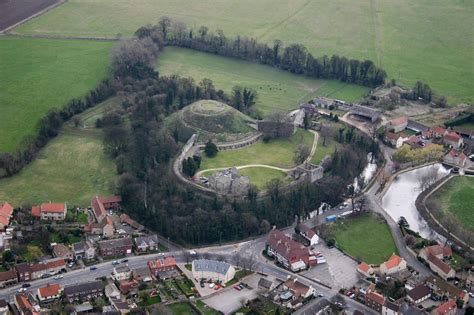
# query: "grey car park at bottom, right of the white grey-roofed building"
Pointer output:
{"type": "Point", "coordinates": [229, 299]}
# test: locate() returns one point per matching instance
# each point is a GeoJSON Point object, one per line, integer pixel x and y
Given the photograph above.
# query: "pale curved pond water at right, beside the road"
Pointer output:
{"type": "Point", "coordinates": [399, 200]}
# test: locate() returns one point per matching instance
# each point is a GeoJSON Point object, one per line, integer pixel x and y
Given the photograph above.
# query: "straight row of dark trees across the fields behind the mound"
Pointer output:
{"type": "Point", "coordinates": [294, 58]}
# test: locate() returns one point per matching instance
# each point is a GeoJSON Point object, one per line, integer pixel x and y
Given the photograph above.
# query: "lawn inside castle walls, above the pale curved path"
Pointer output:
{"type": "Point", "coordinates": [277, 152]}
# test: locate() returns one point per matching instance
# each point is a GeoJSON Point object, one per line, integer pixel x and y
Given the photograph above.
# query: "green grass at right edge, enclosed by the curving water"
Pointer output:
{"type": "Point", "coordinates": [456, 197]}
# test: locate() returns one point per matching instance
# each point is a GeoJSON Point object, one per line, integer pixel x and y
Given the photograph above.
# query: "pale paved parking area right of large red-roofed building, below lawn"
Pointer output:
{"type": "Point", "coordinates": [339, 271]}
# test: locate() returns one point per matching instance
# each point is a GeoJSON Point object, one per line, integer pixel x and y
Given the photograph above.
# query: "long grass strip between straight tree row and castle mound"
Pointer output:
{"type": "Point", "coordinates": [277, 90]}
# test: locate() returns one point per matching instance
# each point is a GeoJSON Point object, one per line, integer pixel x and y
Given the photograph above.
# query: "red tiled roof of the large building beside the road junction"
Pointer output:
{"type": "Point", "coordinates": [287, 247]}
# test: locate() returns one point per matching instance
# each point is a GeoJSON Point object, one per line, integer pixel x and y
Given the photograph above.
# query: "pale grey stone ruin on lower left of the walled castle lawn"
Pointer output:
{"type": "Point", "coordinates": [229, 181]}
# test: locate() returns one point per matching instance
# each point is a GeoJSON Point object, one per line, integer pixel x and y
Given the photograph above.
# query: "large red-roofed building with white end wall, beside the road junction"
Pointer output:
{"type": "Point", "coordinates": [292, 255]}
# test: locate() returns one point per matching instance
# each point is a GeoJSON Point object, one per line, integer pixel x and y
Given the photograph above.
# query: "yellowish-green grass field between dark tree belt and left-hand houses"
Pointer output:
{"type": "Point", "coordinates": [71, 168]}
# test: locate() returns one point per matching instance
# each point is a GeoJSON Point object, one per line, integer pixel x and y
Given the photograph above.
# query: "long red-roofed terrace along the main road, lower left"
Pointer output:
{"type": "Point", "coordinates": [29, 271]}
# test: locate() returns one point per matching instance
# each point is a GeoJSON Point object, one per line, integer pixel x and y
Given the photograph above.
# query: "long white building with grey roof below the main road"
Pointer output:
{"type": "Point", "coordinates": [212, 269]}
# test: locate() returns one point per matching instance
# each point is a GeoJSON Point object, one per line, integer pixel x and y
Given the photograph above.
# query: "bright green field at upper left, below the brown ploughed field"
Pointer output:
{"type": "Point", "coordinates": [39, 74]}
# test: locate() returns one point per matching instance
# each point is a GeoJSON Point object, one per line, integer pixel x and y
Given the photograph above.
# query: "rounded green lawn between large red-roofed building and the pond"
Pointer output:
{"type": "Point", "coordinates": [366, 237]}
